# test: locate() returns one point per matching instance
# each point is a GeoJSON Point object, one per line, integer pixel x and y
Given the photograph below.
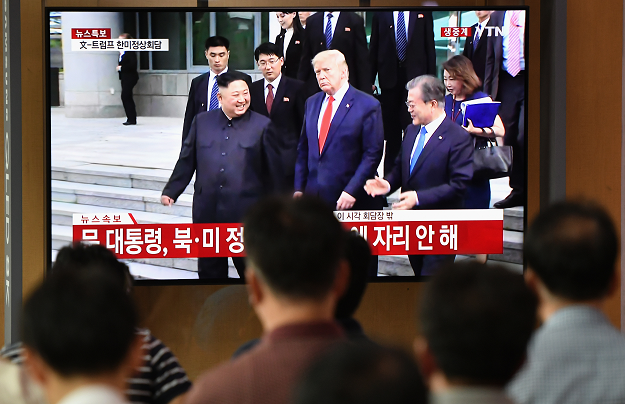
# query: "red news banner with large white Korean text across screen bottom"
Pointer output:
{"type": "Point", "coordinates": [388, 233]}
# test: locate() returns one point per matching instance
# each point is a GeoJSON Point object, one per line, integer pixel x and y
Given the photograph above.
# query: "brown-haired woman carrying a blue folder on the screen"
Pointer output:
{"type": "Point", "coordinates": [462, 83]}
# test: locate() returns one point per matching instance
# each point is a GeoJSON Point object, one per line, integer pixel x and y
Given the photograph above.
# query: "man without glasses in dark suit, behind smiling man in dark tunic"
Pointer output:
{"type": "Point", "coordinates": [204, 88]}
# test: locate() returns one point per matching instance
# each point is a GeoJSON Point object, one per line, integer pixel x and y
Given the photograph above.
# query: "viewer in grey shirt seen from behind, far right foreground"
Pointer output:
{"type": "Point", "coordinates": [576, 356]}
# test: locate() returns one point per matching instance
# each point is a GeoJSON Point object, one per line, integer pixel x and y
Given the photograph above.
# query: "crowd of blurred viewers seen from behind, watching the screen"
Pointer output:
{"type": "Point", "coordinates": [486, 334]}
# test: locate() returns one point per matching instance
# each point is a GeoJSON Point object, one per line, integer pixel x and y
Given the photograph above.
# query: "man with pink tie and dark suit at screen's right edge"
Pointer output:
{"type": "Point", "coordinates": [504, 80]}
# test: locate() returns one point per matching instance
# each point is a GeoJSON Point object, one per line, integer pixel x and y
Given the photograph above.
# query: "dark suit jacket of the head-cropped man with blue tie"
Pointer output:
{"type": "Point", "coordinates": [420, 53]}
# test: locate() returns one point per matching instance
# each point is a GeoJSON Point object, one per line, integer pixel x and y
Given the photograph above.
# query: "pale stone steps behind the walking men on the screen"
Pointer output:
{"type": "Point", "coordinates": [115, 189]}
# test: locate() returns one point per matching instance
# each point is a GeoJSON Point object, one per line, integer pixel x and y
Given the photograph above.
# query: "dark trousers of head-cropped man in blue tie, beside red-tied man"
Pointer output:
{"type": "Point", "coordinates": [395, 117]}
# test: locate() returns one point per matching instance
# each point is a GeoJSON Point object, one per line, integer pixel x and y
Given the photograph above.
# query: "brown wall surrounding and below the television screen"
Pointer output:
{"type": "Point", "coordinates": [204, 324]}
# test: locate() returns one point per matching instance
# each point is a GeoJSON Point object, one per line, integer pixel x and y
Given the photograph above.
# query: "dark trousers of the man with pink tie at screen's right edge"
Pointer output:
{"type": "Point", "coordinates": [511, 93]}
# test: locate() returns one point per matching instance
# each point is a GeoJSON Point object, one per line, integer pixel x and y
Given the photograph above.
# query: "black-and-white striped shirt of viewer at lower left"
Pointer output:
{"type": "Point", "coordinates": [158, 381]}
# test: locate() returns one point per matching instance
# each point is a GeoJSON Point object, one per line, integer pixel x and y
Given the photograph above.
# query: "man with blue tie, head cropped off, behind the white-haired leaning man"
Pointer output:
{"type": "Point", "coordinates": [401, 48]}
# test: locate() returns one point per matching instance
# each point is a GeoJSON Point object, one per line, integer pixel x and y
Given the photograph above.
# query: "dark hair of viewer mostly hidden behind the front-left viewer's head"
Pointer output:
{"type": "Point", "coordinates": [81, 257]}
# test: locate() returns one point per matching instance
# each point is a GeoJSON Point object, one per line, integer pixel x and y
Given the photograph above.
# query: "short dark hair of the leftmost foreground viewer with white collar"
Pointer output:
{"type": "Point", "coordinates": [80, 323]}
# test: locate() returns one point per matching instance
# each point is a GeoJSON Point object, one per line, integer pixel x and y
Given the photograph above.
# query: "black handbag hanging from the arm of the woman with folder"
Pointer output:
{"type": "Point", "coordinates": [491, 161]}
